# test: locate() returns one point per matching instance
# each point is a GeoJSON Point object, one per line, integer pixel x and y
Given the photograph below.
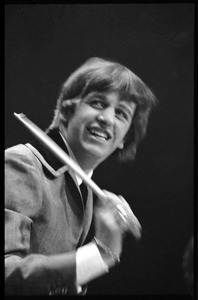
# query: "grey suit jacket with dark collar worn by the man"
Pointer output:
{"type": "Point", "coordinates": [45, 221]}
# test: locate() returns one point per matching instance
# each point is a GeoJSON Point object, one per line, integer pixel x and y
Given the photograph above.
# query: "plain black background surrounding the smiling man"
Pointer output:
{"type": "Point", "coordinates": [45, 43]}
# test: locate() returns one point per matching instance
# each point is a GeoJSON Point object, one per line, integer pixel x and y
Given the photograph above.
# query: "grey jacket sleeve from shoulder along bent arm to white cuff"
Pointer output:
{"type": "Point", "coordinates": [28, 273]}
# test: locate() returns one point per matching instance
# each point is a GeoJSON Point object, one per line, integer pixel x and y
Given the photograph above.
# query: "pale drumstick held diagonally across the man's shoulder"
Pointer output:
{"type": "Point", "coordinates": [66, 159]}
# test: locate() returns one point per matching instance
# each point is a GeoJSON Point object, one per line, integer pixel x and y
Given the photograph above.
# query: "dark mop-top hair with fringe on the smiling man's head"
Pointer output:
{"type": "Point", "coordinates": [102, 75]}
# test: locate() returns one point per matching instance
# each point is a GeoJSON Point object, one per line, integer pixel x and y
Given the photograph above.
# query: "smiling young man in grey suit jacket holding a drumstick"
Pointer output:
{"type": "Point", "coordinates": [102, 111]}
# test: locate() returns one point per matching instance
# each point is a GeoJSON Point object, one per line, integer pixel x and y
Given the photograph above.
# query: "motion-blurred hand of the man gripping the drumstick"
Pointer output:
{"type": "Point", "coordinates": [112, 219]}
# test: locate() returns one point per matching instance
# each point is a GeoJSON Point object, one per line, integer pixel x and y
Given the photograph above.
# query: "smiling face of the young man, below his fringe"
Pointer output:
{"type": "Point", "coordinates": [99, 126]}
